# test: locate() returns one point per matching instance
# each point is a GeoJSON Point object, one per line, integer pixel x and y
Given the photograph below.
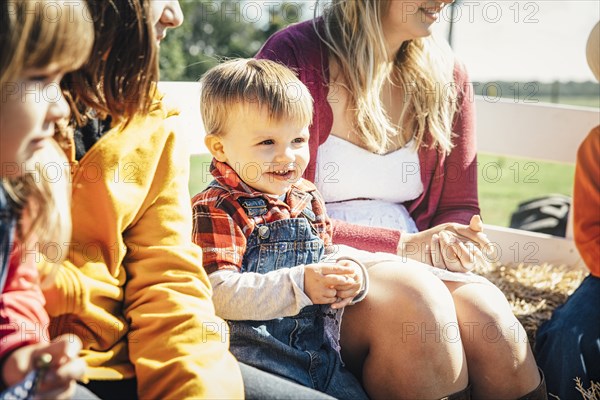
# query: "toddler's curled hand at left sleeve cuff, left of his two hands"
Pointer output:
{"type": "Point", "coordinates": [322, 279]}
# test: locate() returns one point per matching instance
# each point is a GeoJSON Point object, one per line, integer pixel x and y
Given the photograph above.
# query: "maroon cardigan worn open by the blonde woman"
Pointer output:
{"type": "Point", "coordinates": [449, 182]}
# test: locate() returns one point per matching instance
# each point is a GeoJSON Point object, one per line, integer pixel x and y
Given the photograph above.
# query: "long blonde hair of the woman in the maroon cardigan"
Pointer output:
{"type": "Point", "coordinates": [423, 68]}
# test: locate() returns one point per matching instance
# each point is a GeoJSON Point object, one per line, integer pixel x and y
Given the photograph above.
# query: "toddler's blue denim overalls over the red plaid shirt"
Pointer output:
{"type": "Point", "coordinates": [298, 348]}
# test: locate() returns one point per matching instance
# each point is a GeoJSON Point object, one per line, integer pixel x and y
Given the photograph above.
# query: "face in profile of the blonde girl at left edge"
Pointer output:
{"type": "Point", "coordinates": [29, 107]}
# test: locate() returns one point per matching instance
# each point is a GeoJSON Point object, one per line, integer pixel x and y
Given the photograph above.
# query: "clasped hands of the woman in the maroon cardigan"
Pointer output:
{"type": "Point", "coordinates": [451, 246]}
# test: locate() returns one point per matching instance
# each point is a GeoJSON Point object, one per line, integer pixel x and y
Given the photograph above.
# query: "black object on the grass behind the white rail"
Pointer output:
{"type": "Point", "coordinates": [548, 214]}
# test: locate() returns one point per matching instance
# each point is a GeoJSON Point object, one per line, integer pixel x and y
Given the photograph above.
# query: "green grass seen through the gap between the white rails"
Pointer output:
{"type": "Point", "coordinates": [503, 182]}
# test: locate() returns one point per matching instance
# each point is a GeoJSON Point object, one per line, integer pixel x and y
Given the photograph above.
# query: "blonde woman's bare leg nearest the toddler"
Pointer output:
{"type": "Point", "coordinates": [396, 339]}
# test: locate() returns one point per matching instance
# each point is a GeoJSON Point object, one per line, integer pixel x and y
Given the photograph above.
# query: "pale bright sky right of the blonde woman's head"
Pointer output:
{"type": "Point", "coordinates": [523, 40]}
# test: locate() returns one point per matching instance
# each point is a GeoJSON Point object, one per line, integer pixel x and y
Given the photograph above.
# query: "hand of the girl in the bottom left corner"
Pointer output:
{"type": "Point", "coordinates": [60, 379]}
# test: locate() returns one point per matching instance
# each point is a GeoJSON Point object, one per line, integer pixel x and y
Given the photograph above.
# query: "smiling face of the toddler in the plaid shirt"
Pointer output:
{"type": "Point", "coordinates": [267, 155]}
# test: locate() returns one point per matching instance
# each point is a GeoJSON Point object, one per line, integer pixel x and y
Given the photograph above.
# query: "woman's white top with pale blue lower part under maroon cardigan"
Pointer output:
{"type": "Point", "coordinates": [367, 188]}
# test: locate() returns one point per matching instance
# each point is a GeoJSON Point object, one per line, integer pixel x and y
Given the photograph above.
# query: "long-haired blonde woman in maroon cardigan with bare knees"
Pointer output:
{"type": "Point", "coordinates": [389, 97]}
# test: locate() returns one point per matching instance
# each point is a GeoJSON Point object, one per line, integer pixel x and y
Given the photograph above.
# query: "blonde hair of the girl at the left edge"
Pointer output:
{"type": "Point", "coordinates": [35, 34]}
